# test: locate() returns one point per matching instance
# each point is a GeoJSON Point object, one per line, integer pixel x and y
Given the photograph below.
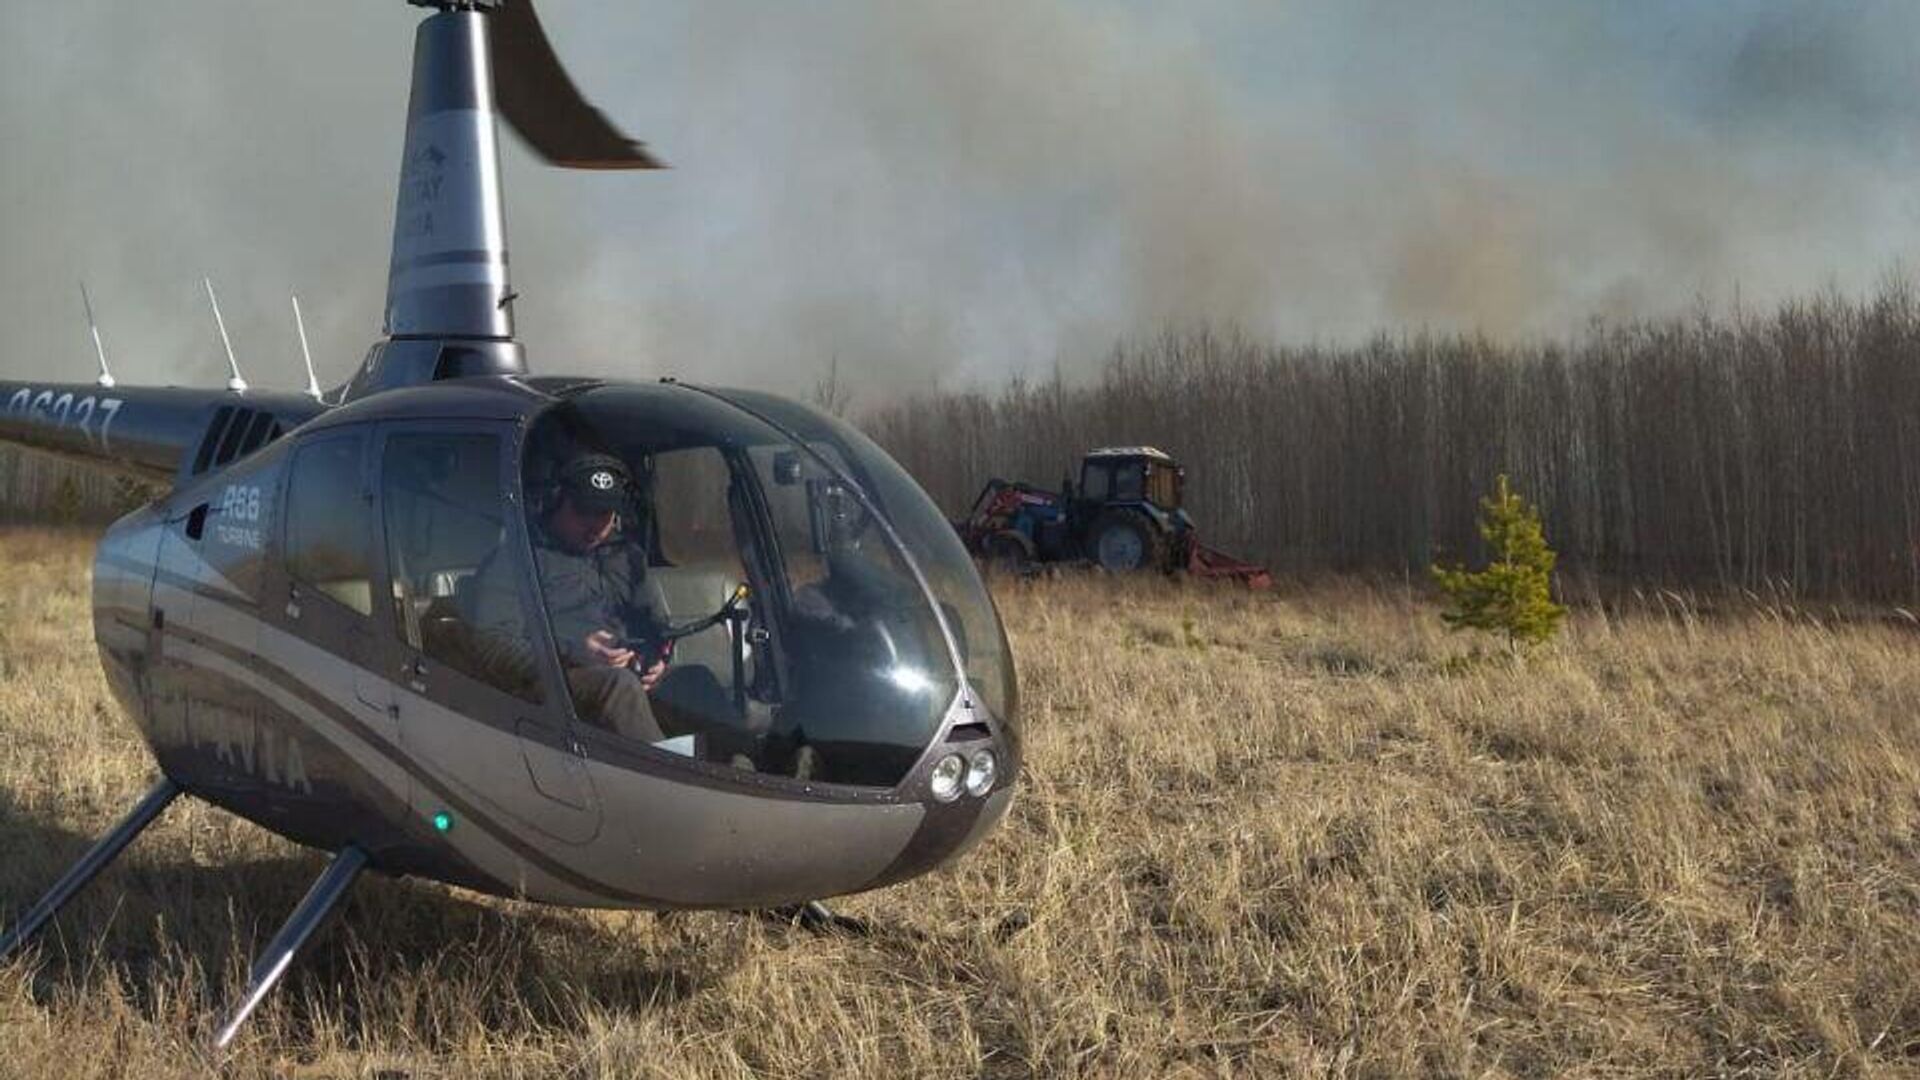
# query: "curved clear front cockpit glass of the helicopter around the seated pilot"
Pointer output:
{"type": "Point", "coordinates": [721, 585]}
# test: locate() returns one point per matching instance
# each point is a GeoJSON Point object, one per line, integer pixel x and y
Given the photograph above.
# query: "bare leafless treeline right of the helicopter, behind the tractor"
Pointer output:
{"type": "Point", "coordinates": [1767, 453]}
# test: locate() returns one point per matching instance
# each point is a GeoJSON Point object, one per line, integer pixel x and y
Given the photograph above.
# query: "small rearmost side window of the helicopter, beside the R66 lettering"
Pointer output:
{"type": "Point", "coordinates": [329, 526]}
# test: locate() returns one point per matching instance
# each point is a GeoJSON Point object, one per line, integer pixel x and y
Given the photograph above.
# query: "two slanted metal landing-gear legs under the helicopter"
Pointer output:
{"type": "Point", "coordinates": [272, 964]}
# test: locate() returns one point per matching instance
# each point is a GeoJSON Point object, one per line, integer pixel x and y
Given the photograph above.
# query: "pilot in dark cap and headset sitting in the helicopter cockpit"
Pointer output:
{"type": "Point", "coordinates": [602, 604]}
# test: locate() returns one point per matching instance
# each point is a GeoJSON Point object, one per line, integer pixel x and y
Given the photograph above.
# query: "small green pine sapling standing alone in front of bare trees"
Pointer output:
{"type": "Point", "coordinates": [1514, 595]}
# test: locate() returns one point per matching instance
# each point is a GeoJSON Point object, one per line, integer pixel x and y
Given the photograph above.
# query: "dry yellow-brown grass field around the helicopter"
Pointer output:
{"type": "Point", "coordinates": [1305, 833]}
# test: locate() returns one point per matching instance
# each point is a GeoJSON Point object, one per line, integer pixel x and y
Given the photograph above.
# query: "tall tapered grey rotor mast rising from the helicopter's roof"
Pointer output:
{"type": "Point", "coordinates": [448, 278]}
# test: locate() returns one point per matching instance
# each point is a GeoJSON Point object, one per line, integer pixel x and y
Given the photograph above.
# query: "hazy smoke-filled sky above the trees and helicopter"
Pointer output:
{"type": "Point", "coordinates": [948, 193]}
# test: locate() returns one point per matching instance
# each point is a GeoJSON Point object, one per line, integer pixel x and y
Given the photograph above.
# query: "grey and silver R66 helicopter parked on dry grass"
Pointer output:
{"type": "Point", "coordinates": [348, 618]}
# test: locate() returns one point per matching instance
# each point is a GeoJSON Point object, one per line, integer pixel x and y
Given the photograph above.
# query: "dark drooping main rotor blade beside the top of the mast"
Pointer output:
{"type": "Point", "coordinates": [537, 97]}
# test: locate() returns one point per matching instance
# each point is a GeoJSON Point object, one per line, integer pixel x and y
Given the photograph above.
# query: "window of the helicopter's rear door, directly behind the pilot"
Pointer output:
{"type": "Point", "coordinates": [456, 581]}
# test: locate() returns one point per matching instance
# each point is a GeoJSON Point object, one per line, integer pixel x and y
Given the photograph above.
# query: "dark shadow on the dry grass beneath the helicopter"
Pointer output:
{"type": "Point", "coordinates": [166, 923]}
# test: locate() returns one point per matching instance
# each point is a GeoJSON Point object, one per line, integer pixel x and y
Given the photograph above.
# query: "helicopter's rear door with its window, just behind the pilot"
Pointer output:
{"type": "Point", "coordinates": [471, 681]}
